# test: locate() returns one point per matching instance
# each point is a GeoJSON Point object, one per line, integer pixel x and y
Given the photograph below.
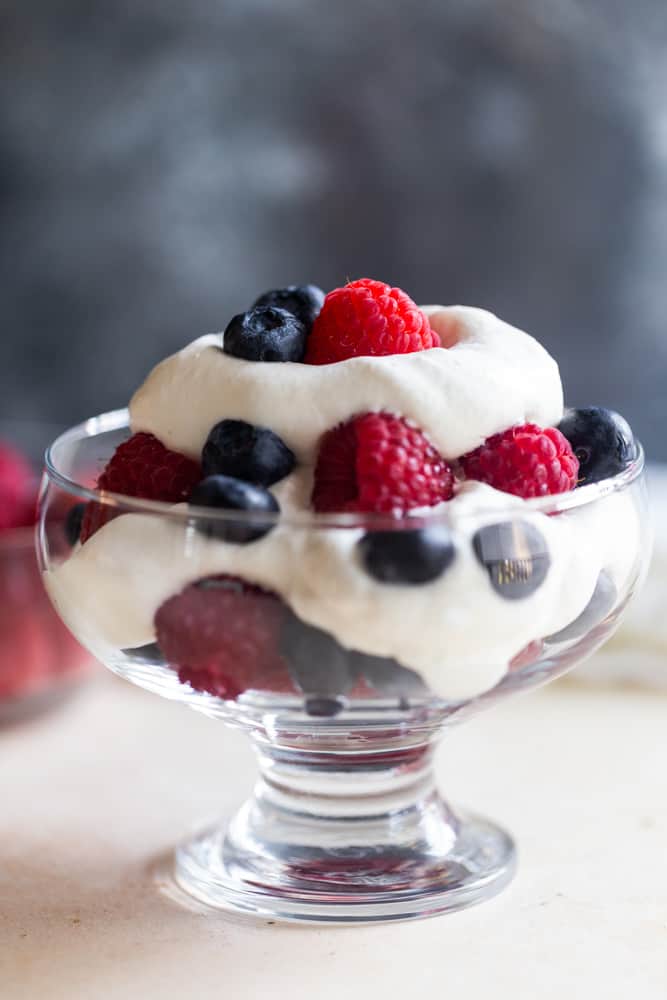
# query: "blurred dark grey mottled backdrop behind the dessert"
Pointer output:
{"type": "Point", "coordinates": [164, 162]}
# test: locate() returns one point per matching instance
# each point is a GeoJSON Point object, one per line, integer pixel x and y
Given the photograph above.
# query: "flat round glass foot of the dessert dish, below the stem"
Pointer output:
{"type": "Point", "coordinates": [353, 889]}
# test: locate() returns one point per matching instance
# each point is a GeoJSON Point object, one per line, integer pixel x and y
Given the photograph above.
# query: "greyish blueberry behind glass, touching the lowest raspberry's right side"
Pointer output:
{"type": "Point", "coordinates": [318, 663]}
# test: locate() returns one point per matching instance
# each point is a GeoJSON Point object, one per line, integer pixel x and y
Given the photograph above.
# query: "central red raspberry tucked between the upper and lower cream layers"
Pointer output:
{"type": "Point", "coordinates": [378, 462]}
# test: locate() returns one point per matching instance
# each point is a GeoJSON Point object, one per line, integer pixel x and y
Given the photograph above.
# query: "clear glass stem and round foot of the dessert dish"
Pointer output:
{"type": "Point", "coordinates": [384, 846]}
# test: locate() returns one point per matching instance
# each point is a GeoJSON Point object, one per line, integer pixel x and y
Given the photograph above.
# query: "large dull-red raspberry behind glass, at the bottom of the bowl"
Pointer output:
{"type": "Point", "coordinates": [221, 635]}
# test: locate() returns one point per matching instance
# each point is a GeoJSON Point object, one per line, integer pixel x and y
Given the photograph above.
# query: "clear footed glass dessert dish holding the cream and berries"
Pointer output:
{"type": "Point", "coordinates": [345, 823]}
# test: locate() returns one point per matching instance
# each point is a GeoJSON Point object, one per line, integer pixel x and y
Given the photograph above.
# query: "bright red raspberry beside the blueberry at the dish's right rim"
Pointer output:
{"type": "Point", "coordinates": [526, 461]}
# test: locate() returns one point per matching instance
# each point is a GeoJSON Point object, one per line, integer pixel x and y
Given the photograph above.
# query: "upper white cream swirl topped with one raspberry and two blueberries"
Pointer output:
{"type": "Point", "coordinates": [494, 376]}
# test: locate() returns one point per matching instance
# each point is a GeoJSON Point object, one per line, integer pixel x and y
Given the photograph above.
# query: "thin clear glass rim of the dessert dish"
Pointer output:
{"type": "Point", "coordinates": [116, 420]}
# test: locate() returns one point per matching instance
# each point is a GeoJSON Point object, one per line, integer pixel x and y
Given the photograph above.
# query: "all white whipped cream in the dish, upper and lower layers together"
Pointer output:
{"type": "Point", "coordinates": [457, 631]}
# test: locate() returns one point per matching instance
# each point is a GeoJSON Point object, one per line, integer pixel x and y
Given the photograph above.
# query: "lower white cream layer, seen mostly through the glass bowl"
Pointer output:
{"type": "Point", "coordinates": [457, 631]}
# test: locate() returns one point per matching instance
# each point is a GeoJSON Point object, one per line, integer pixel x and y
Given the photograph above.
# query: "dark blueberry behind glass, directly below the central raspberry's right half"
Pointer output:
{"type": "Point", "coordinates": [407, 556]}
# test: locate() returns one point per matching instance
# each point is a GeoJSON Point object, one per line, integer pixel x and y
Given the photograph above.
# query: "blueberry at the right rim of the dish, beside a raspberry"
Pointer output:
{"type": "Point", "coordinates": [602, 441]}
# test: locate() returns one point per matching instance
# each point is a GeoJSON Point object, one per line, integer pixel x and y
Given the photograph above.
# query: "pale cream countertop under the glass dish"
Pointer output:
{"type": "Point", "coordinates": [93, 797]}
